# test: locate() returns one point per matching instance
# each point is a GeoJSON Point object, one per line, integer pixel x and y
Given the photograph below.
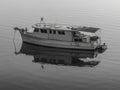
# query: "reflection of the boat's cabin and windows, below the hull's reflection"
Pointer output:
{"type": "Point", "coordinates": [74, 61]}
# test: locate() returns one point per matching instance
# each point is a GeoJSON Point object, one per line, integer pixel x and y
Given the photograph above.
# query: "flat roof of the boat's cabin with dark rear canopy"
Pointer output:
{"type": "Point", "coordinates": [66, 27]}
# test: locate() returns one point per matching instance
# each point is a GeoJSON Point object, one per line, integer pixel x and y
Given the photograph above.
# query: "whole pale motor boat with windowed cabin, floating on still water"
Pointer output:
{"type": "Point", "coordinates": [62, 36]}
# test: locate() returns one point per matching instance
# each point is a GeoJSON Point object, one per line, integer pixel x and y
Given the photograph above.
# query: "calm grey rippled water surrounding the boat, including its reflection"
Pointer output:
{"type": "Point", "coordinates": [20, 64]}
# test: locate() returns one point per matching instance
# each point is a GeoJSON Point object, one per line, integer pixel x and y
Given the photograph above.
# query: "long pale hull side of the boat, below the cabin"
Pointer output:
{"type": "Point", "coordinates": [57, 44]}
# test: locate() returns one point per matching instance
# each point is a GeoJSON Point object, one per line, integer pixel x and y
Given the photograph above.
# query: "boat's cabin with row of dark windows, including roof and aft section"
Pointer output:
{"type": "Point", "coordinates": [64, 33]}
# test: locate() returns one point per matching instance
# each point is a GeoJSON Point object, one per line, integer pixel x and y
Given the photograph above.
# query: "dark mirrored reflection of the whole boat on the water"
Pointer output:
{"type": "Point", "coordinates": [46, 55]}
